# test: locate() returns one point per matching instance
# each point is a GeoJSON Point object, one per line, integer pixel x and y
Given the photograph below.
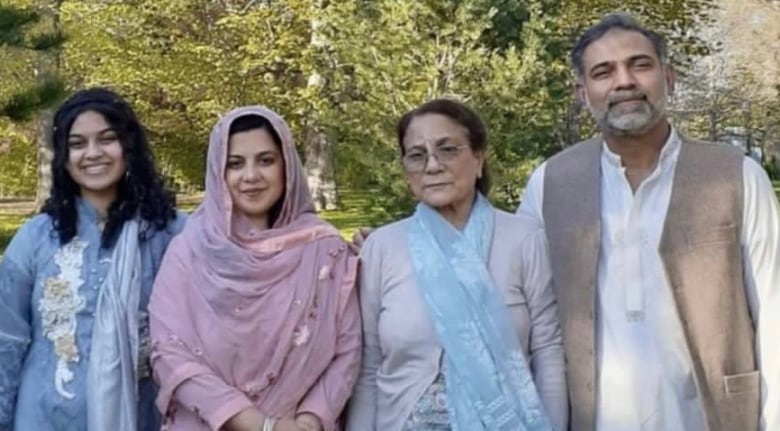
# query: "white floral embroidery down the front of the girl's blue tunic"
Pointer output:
{"type": "Point", "coordinates": [60, 304]}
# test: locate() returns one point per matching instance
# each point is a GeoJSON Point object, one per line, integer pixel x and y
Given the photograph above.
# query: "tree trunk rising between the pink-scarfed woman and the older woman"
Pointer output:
{"type": "Point", "coordinates": [319, 149]}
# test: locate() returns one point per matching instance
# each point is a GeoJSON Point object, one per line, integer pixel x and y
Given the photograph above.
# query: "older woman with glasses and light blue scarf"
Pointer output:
{"type": "Point", "coordinates": [461, 330]}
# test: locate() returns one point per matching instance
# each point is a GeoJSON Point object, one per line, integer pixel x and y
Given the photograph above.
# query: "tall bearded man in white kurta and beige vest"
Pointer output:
{"type": "Point", "coordinates": [665, 255]}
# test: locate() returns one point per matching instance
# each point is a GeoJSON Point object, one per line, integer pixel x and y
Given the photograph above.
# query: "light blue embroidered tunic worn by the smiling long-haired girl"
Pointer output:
{"type": "Point", "coordinates": [48, 296]}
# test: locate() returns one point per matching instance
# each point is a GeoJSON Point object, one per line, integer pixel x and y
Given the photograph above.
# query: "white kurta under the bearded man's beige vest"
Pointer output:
{"type": "Point", "coordinates": [645, 374]}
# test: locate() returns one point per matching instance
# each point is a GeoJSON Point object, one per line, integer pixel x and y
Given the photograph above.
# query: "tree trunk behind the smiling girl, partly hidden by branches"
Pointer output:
{"type": "Point", "coordinates": [48, 65]}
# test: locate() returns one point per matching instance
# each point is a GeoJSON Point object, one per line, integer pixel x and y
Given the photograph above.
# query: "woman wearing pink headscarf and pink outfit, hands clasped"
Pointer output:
{"type": "Point", "coordinates": [254, 316]}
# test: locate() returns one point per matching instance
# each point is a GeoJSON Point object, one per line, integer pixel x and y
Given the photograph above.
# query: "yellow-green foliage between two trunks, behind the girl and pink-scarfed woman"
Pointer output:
{"type": "Point", "coordinates": [183, 63]}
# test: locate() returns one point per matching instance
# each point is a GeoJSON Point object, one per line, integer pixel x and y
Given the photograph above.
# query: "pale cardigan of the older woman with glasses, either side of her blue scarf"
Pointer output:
{"type": "Point", "coordinates": [401, 354]}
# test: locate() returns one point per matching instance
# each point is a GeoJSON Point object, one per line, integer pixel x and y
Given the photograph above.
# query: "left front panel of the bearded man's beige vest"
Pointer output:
{"type": "Point", "coordinates": [571, 207]}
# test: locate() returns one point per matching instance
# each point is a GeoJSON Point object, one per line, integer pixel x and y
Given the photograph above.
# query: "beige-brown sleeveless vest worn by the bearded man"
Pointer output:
{"type": "Point", "coordinates": [700, 248]}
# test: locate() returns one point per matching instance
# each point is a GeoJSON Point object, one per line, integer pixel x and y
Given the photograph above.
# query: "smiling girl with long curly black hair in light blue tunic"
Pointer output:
{"type": "Point", "coordinates": [75, 280]}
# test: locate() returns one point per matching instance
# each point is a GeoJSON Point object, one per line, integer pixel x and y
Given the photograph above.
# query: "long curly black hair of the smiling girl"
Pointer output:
{"type": "Point", "coordinates": [141, 190]}
